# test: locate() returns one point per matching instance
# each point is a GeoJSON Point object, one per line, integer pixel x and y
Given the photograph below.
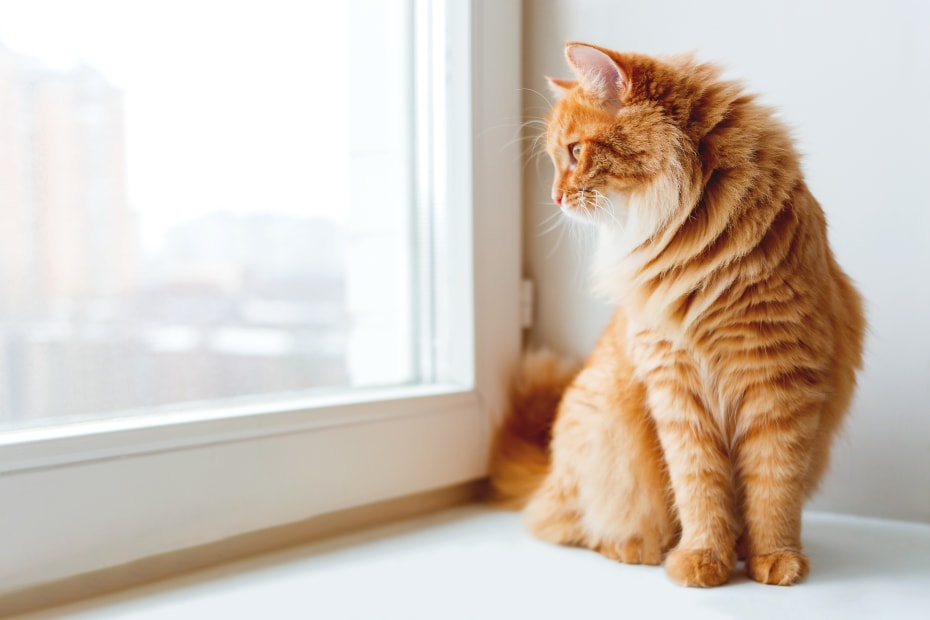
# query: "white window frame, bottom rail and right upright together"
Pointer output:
{"type": "Point", "coordinates": [79, 498]}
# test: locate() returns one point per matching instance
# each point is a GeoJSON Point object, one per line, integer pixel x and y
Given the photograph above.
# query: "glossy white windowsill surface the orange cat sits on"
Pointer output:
{"type": "Point", "coordinates": [473, 562]}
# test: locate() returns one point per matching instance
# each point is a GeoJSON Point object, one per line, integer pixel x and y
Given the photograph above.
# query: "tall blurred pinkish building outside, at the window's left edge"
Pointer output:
{"type": "Point", "coordinates": [66, 228]}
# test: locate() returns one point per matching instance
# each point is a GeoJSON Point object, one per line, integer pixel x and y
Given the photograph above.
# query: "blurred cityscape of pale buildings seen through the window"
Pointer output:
{"type": "Point", "coordinates": [92, 321]}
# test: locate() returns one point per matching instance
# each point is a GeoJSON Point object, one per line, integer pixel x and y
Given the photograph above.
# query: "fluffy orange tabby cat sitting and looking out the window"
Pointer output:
{"type": "Point", "coordinates": [704, 417]}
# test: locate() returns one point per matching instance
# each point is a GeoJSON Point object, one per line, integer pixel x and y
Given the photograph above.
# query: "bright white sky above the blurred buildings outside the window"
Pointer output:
{"type": "Point", "coordinates": [238, 106]}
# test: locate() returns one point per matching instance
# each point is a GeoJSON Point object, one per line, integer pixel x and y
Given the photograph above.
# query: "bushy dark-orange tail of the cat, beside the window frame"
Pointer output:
{"type": "Point", "coordinates": [520, 452]}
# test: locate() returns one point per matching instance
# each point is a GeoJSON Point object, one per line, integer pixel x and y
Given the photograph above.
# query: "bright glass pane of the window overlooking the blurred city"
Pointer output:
{"type": "Point", "coordinates": [204, 200]}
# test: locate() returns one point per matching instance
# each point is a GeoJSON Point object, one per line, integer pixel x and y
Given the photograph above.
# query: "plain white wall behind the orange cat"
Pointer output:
{"type": "Point", "coordinates": [853, 79]}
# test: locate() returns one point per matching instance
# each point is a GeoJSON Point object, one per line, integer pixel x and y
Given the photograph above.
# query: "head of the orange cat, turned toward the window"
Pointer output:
{"type": "Point", "coordinates": [616, 139]}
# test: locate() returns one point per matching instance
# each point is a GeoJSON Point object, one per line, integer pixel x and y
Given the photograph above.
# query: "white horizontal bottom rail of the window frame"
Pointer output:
{"type": "Point", "coordinates": [112, 498]}
